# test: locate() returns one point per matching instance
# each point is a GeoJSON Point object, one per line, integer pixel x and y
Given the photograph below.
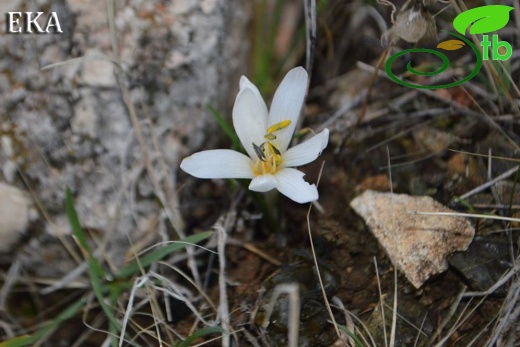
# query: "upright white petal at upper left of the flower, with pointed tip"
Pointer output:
{"type": "Point", "coordinates": [249, 119]}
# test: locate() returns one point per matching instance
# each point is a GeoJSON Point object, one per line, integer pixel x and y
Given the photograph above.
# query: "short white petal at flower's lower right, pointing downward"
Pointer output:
{"type": "Point", "coordinates": [292, 185]}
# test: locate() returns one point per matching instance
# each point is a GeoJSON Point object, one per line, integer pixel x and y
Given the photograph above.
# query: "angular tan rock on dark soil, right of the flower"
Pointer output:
{"type": "Point", "coordinates": [417, 244]}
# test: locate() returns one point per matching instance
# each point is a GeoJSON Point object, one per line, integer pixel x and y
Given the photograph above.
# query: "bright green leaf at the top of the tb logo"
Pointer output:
{"type": "Point", "coordinates": [482, 19]}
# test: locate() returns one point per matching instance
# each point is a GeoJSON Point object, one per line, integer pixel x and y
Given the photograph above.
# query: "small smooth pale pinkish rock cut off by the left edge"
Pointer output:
{"type": "Point", "coordinates": [14, 215]}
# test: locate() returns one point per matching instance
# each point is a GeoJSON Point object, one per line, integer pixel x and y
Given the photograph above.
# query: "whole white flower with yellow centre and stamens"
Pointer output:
{"type": "Point", "coordinates": [266, 136]}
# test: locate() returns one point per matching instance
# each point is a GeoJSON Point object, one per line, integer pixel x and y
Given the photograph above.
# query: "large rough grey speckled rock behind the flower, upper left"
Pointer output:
{"type": "Point", "coordinates": [68, 126]}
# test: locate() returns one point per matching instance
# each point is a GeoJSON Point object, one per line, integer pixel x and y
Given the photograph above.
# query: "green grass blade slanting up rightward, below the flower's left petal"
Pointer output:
{"type": "Point", "coordinates": [160, 253]}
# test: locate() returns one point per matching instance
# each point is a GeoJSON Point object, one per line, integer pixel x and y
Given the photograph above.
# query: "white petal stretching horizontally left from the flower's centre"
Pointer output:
{"type": "Point", "coordinates": [218, 163]}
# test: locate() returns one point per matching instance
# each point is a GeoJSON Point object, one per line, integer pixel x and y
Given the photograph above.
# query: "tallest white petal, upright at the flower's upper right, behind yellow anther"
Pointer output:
{"type": "Point", "coordinates": [287, 105]}
